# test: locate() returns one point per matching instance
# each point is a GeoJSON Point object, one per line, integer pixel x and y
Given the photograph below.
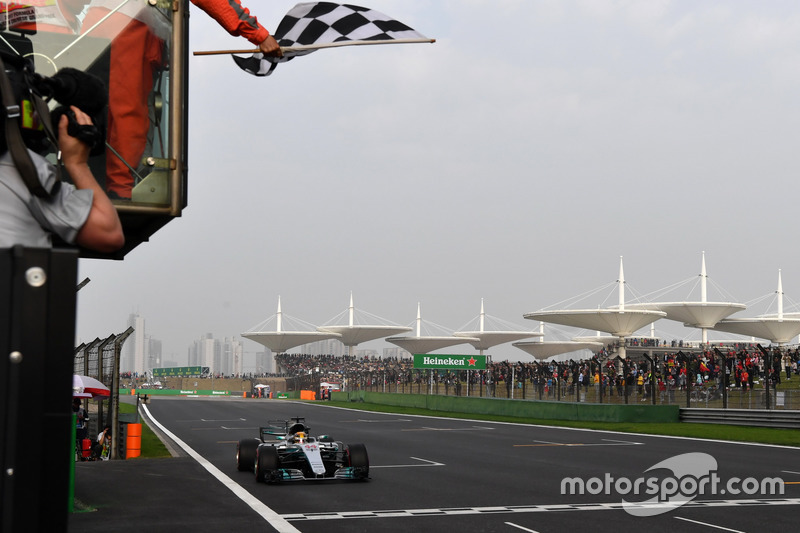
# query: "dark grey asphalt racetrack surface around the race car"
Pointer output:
{"type": "Point", "coordinates": [428, 474]}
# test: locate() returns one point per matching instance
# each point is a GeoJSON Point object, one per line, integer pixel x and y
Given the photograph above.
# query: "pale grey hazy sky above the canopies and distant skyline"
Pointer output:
{"type": "Point", "coordinates": [514, 160]}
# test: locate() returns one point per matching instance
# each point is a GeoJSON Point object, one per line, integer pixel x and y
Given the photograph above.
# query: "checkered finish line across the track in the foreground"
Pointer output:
{"type": "Point", "coordinates": [461, 511]}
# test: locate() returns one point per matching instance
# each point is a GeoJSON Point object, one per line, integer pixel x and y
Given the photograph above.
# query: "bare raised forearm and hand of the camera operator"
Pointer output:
{"type": "Point", "coordinates": [102, 231]}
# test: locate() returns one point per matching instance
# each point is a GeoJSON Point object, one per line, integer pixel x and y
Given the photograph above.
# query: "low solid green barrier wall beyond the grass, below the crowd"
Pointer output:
{"type": "Point", "coordinates": [584, 412]}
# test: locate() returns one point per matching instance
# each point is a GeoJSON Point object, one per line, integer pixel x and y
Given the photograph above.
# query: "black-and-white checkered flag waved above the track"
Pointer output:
{"type": "Point", "coordinates": [314, 25]}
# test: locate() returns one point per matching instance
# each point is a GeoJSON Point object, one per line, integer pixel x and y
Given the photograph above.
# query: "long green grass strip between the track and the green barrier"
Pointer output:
{"type": "Point", "coordinates": [786, 437]}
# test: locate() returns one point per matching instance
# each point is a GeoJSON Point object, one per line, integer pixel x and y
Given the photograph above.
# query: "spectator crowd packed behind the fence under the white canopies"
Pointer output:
{"type": "Point", "coordinates": [740, 366]}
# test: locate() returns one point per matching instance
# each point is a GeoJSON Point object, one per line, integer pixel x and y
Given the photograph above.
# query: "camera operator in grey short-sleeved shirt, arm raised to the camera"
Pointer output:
{"type": "Point", "coordinates": [79, 213]}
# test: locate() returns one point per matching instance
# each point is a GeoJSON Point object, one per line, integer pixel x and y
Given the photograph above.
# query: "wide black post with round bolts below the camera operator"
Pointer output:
{"type": "Point", "coordinates": [37, 334]}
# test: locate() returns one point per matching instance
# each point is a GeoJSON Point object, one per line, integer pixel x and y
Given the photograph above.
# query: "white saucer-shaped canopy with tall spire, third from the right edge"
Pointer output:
{"type": "Point", "coordinates": [619, 321]}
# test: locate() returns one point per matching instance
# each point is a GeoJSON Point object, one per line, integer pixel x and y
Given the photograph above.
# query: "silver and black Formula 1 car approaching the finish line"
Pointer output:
{"type": "Point", "coordinates": [285, 451]}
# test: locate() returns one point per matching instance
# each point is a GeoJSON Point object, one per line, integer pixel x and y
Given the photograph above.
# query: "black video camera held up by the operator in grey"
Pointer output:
{"type": "Point", "coordinates": [68, 87]}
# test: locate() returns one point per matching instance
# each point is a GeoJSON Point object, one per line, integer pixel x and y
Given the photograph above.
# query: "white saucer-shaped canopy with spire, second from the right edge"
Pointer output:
{"type": "Point", "coordinates": [701, 314]}
